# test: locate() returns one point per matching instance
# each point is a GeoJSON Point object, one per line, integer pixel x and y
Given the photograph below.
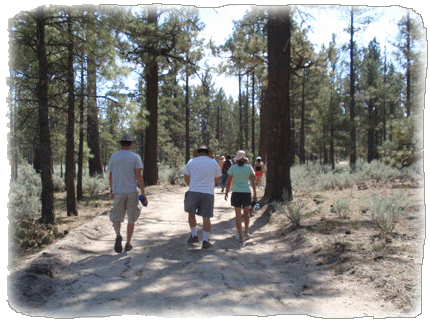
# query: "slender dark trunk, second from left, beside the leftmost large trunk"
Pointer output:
{"type": "Point", "coordinates": [70, 152]}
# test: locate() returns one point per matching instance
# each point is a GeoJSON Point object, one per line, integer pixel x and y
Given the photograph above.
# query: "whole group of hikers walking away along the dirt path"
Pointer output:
{"type": "Point", "coordinates": [202, 174]}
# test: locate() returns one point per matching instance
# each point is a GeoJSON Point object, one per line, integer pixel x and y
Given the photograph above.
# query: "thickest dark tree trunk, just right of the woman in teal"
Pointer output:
{"type": "Point", "coordinates": [279, 51]}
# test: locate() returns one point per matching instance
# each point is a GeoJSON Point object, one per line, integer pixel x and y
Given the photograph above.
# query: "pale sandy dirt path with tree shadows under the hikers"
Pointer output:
{"type": "Point", "coordinates": [166, 277]}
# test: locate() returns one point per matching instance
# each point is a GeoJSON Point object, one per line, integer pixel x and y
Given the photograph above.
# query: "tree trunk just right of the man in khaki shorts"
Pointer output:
{"type": "Point", "coordinates": [150, 171]}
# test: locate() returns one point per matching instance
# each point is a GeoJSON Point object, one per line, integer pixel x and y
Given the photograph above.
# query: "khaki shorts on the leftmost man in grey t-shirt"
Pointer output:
{"type": "Point", "coordinates": [125, 202]}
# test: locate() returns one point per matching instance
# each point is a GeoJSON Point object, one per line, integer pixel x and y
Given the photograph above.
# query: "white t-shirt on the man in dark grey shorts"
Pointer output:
{"type": "Point", "coordinates": [202, 171]}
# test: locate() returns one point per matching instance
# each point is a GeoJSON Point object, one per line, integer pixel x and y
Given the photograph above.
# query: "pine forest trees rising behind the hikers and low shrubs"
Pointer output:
{"type": "Point", "coordinates": [80, 76]}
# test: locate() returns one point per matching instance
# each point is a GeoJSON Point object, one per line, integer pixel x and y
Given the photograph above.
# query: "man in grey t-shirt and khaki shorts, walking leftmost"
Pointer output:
{"type": "Point", "coordinates": [125, 176]}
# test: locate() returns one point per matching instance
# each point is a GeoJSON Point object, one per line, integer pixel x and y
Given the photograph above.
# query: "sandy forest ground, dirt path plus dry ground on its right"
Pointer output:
{"type": "Point", "coordinates": [328, 267]}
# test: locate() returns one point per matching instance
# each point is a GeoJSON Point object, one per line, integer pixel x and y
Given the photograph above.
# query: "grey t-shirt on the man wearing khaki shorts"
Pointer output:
{"type": "Point", "coordinates": [122, 164]}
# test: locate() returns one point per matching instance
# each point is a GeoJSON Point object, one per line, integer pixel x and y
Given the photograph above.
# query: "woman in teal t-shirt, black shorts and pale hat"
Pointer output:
{"type": "Point", "coordinates": [241, 174]}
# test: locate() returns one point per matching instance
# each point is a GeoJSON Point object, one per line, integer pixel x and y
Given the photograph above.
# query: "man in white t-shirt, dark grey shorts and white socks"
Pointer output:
{"type": "Point", "coordinates": [202, 174]}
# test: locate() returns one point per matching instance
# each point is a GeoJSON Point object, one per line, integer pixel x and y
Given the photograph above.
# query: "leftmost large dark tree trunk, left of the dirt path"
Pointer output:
{"type": "Point", "coordinates": [48, 213]}
